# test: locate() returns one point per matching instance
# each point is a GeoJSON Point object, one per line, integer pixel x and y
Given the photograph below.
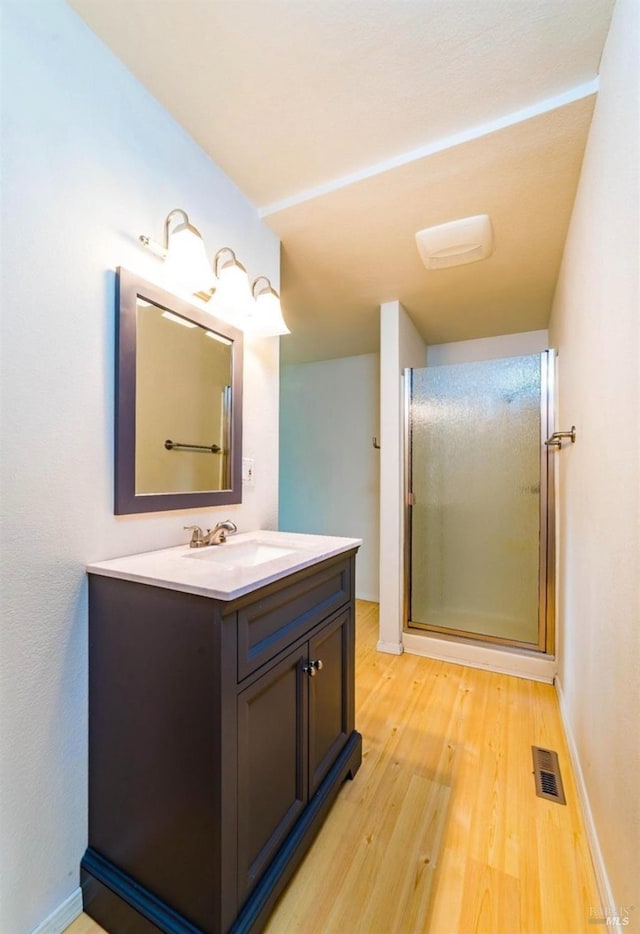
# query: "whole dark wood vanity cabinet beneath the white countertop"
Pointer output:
{"type": "Point", "coordinates": [220, 733]}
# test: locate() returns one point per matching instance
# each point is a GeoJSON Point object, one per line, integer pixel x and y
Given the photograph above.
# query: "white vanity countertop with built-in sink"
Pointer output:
{"type": "Point", "coordinates": [190, 570]}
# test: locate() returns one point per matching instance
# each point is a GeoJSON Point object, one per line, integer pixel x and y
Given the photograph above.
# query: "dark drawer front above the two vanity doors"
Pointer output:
{"type": "Point", "coordinates": [277, 620]}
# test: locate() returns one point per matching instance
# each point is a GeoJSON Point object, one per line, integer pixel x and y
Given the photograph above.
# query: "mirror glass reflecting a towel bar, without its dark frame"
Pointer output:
{"type": "Point", "coordinates": [180, 447]}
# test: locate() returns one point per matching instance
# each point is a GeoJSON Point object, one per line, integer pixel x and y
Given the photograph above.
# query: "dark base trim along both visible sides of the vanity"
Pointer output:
{"type": "Point", "coordinates": [118, 902]}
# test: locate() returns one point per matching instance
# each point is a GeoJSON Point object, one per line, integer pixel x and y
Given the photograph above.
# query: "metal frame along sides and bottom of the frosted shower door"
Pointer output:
{"type": "Point", "coordinates": [547, 546]}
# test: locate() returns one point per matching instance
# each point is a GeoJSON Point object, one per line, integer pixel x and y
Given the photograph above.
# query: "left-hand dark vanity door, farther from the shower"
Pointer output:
{"type": "Point", "coordinates": [272, 764]}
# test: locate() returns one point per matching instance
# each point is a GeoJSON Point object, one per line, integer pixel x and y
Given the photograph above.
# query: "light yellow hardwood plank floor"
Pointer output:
{"type": "Point", "coordinates": [441, 831]}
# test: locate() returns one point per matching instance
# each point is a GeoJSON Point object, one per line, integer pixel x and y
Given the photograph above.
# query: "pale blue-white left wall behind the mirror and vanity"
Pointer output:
{"type": "Point", "coordinates": [90, 160]}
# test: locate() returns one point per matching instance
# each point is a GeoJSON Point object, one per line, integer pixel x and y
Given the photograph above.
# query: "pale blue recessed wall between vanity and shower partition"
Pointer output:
{"type": "Point", "coordinates": [329, 470]}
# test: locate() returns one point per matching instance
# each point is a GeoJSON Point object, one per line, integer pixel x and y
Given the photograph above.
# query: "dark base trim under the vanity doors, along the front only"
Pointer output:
{"type": "Point", "coordinates": [259, 905]}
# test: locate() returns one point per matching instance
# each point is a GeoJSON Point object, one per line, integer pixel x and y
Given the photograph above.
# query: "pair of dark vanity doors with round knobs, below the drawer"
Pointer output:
{"type": "Point", "coordinates": [292, 726]}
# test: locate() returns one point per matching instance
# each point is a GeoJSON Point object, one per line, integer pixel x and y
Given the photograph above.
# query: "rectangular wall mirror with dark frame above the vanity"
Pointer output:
{"type": "Point", "coordinates": [178, 416]}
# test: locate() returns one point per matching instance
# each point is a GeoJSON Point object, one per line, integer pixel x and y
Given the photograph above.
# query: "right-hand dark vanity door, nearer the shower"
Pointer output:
{"type": "Point", "coordinates": [331, 703]}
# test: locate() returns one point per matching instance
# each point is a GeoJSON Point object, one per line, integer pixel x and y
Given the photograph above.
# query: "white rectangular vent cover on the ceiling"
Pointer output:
{"type": "Point", "coordinates": [463, 241]}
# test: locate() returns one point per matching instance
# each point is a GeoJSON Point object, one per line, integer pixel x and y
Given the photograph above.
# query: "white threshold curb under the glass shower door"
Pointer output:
{"type": "Point", "coordinates": [519, 664]}
